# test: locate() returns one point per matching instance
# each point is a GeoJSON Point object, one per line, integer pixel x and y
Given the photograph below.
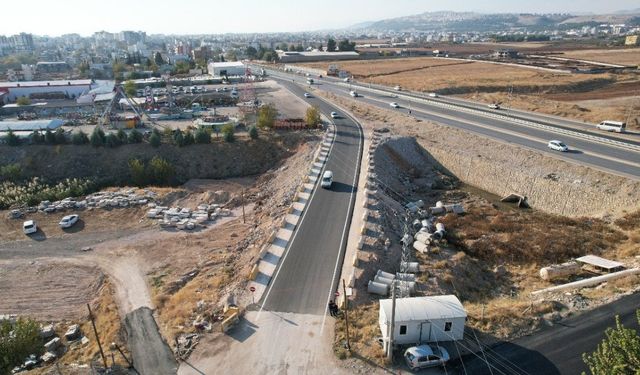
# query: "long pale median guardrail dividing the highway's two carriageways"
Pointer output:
{"type": "Point", "coordinates": [528, 123]}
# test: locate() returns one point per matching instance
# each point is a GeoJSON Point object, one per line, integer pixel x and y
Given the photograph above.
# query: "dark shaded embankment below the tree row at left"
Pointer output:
{"type": "Point", "coordinates": [110, 166]}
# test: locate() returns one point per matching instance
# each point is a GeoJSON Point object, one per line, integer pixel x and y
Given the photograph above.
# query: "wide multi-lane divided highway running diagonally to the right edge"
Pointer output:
{"type": "Point", "coordinates": [599, 150]}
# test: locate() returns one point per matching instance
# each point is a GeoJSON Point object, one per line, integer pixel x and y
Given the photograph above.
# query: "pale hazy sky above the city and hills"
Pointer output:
{"type": "Point", "coordinates": [56, 17]}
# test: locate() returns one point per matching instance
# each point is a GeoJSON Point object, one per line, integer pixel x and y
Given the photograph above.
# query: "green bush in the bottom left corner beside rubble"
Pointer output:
{"type": "Point", "coordinates": [17, 342]}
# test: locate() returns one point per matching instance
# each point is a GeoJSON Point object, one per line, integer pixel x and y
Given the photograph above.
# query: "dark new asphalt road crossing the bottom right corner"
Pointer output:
{"type": "Point", "coordinates": [558, 349]}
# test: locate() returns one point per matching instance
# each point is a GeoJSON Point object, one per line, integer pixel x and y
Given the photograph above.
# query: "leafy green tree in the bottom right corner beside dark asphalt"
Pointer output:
{"type": "Point", "coordinates": [618, 353]}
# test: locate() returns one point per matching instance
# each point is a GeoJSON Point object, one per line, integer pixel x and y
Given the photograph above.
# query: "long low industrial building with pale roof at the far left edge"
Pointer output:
{"type": "Point", "coordinates": [59, 89]}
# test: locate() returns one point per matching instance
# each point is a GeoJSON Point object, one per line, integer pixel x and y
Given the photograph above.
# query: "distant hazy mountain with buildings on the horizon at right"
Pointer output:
{"type": "Point", "coordinates": [470, 21]}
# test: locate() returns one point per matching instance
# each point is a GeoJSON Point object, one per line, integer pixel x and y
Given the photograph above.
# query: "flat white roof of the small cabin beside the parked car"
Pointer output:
{"type": "Point", "coordinates": [424, 308]}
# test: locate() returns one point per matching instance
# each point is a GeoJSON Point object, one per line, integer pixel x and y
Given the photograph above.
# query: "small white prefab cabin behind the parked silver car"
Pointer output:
{"type": "Point", "coordinates": [423, 319]}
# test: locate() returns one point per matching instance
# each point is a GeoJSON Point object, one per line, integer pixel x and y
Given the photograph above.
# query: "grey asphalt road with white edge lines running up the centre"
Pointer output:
{"type": "Point", "coordinates": [307, 274]}
